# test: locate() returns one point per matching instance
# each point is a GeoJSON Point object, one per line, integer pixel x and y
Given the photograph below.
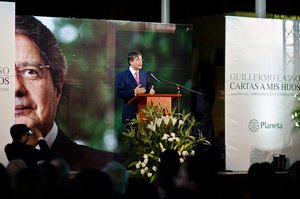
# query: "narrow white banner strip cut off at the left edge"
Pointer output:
{"type": "Point", "coordinates": [7, 71]}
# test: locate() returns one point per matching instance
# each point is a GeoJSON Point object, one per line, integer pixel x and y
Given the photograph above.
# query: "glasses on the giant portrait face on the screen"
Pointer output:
{"type": "Point", "coordinates": [31, 72]}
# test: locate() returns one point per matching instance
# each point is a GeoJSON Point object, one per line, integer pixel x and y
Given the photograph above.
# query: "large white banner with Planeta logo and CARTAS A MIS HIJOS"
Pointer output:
{"type": "Point", "coordinates": [261, 78]}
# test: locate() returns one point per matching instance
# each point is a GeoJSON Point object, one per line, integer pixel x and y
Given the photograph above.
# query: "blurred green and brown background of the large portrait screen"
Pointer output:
{"type": "Point", "coordinates": [96, 50]}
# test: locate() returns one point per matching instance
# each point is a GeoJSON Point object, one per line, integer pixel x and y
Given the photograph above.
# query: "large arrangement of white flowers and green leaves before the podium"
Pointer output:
{"type": "Point", "coordinates": [159, 131]}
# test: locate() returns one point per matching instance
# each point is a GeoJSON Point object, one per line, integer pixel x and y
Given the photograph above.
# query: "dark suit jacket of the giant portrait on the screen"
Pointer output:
{"type": "Point", "coordinates": [80, 156]}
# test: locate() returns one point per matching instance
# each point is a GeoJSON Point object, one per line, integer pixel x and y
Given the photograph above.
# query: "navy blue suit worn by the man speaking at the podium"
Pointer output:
{"type": "Point", "coordinates": [125, 85]}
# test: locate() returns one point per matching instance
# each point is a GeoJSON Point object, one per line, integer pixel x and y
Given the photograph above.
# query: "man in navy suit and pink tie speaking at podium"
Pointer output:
{"type": "Point", "coordinates": [130, 83]}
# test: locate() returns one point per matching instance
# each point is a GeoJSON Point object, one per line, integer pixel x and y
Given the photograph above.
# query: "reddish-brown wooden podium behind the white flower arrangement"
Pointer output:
{"type": "Point", "coordinates": [144, 99]}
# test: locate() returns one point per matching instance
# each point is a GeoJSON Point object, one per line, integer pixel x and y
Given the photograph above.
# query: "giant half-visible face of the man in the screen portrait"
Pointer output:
{"type": "Point", "coordinates": [36, 98]}
